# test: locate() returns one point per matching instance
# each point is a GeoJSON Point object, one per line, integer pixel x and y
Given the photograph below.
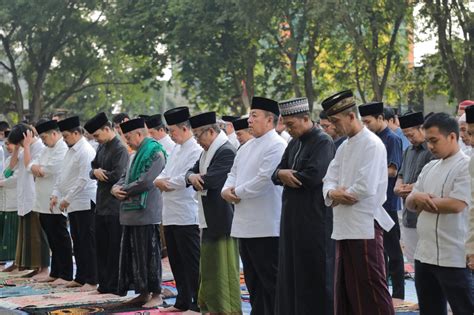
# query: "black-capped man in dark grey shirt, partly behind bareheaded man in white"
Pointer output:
{"type": "Point", "coordinates": [415, 157]}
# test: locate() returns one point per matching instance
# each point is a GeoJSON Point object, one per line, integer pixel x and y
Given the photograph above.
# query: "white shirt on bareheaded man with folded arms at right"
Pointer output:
{"type": "Point", "coordinates": [442, 236]}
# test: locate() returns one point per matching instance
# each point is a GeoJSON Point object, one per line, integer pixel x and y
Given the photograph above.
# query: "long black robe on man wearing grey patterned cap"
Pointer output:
{"type": "Point", "coordinates": [306, 262]}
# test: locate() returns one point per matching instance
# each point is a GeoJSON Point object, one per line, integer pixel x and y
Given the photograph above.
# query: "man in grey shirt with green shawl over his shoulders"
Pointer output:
{"type": "Point", "coordinates": [140, 216]}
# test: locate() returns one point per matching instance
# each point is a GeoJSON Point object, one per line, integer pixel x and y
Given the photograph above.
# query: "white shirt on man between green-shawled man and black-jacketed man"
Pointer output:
{"type": "Point", "coordinates": [180, 207]}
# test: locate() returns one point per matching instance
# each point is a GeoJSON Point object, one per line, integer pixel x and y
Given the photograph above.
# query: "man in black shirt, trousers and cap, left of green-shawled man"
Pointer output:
{"type": "Point", "coordinates": [108, 166]}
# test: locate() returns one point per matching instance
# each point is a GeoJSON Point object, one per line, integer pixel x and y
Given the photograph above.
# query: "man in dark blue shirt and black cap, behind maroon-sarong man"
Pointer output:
{"type": "Point", "coordinates": [373, 117]}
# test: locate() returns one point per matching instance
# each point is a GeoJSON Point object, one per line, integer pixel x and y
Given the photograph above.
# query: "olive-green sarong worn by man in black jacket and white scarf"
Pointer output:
{"type": "Point", "coordinates": [219, 288]}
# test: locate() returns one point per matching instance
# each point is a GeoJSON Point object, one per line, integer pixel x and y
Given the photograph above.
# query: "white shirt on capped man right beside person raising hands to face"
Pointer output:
{"type": "Point", "coordinates": [50, 161]}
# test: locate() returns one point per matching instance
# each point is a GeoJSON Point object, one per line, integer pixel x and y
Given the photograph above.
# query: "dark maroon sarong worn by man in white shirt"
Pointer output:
{"type": "Point", "coordinates": [360, 282]}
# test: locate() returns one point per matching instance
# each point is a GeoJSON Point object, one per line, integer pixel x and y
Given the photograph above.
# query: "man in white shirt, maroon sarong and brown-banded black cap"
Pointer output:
{"type": "Point", "coordinates": [355, 186]}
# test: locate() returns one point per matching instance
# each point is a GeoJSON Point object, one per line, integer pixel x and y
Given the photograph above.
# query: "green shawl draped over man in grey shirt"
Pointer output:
{"type": "Point", "coordinates": [142, 161]}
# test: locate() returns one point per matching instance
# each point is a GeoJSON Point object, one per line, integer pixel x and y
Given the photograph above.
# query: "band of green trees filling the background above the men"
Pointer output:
{"type": "Point", "coordinates": [92, 55]}
